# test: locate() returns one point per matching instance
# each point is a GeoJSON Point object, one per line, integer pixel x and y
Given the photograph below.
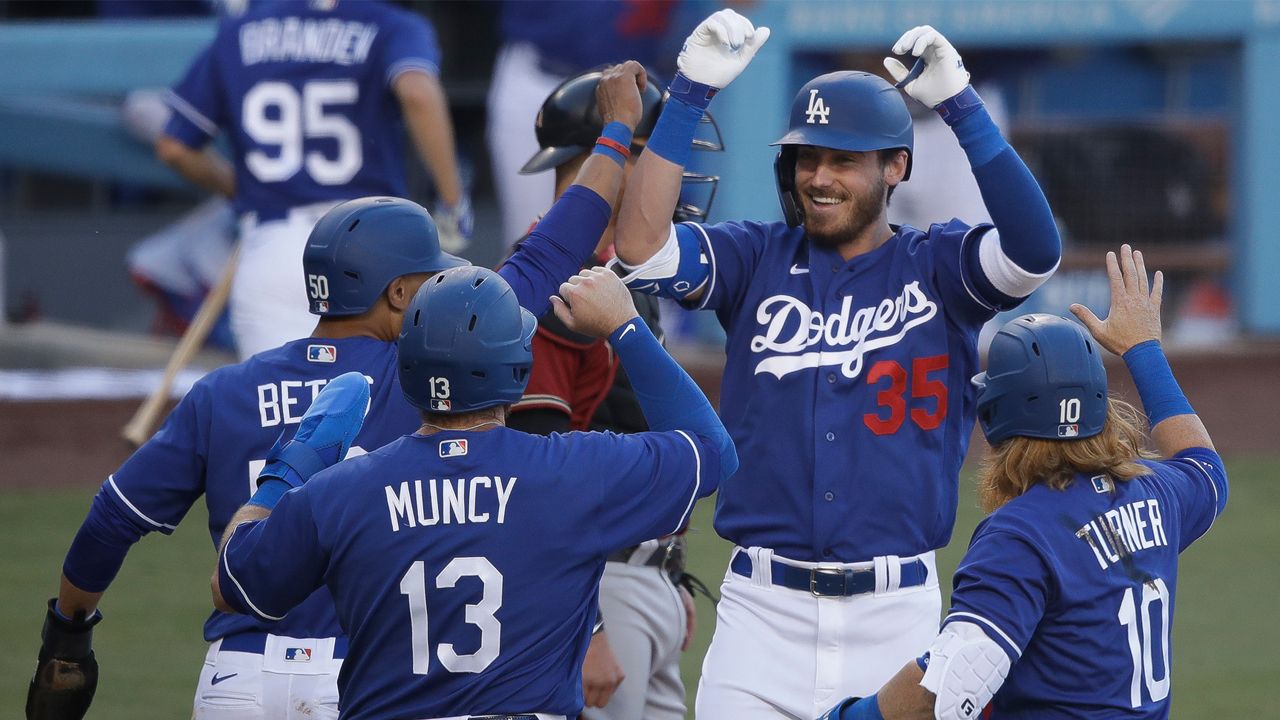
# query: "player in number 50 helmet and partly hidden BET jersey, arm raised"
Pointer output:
{"type": "Point", "coordinates": [368, 257]}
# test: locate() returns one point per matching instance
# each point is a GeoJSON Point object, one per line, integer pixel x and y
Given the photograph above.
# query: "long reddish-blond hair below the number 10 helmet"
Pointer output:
{"type": "Point", "coordinates": [1020, 463]}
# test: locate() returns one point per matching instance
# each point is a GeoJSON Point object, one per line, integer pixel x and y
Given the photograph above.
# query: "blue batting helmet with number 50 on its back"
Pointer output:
{"type": "Point", "coordinates": [360, 247]}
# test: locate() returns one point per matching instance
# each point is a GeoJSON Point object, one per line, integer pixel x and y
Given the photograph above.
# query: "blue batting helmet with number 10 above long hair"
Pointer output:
{"type": "Point", "coordinates": [1045, 380]}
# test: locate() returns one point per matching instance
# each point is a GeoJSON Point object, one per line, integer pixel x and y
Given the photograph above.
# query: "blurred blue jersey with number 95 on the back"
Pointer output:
{"type": "Point", "coordinates": [305, 94]}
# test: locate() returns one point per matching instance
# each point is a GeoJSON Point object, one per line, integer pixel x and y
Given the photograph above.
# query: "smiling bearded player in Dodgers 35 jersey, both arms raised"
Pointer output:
{"type": "Point", "coordinates": [851, 345]}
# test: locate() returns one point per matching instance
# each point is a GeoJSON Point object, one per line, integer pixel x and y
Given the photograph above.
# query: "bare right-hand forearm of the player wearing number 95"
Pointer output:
{"type": "Point", "coordinates": [427, 116]}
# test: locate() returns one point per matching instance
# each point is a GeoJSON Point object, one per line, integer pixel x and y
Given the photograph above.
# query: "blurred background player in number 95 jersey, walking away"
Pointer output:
{"type": "Point", "coordinates": [314, 97]}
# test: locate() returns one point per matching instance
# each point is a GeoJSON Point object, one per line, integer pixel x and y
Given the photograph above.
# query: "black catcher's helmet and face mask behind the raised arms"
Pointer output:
{"type": "Point", "coordinates": [569, 124]}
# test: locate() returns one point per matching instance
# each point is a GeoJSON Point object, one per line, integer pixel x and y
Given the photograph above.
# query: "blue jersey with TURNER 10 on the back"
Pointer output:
{"type": "Point", "coordinates": [1078, 587]}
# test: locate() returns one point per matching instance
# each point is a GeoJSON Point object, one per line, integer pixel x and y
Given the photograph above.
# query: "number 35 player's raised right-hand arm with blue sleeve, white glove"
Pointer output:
{"type": "Point", "coordinates": [1008, 265]}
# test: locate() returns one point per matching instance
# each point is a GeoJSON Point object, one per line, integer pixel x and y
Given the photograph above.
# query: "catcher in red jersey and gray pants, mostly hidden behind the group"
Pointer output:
{"type": "Point", "coordinates": [633, 666]}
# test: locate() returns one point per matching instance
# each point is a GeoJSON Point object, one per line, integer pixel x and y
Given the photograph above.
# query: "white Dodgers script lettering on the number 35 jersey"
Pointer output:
{"type": "Point", "coordinates": [790, 327]}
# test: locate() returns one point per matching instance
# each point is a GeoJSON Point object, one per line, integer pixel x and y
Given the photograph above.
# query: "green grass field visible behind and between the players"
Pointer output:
{"type": "Point", "coordinates": [150, 648]}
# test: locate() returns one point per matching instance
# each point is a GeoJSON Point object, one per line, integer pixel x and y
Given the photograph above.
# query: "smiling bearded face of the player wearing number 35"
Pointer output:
{"type": "Point", "coordinates": [844, 193]}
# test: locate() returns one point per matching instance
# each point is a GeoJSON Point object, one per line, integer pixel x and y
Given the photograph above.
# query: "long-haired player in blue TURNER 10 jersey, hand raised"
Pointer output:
{"type": "Point", "coordinates": [1064, 604]}
